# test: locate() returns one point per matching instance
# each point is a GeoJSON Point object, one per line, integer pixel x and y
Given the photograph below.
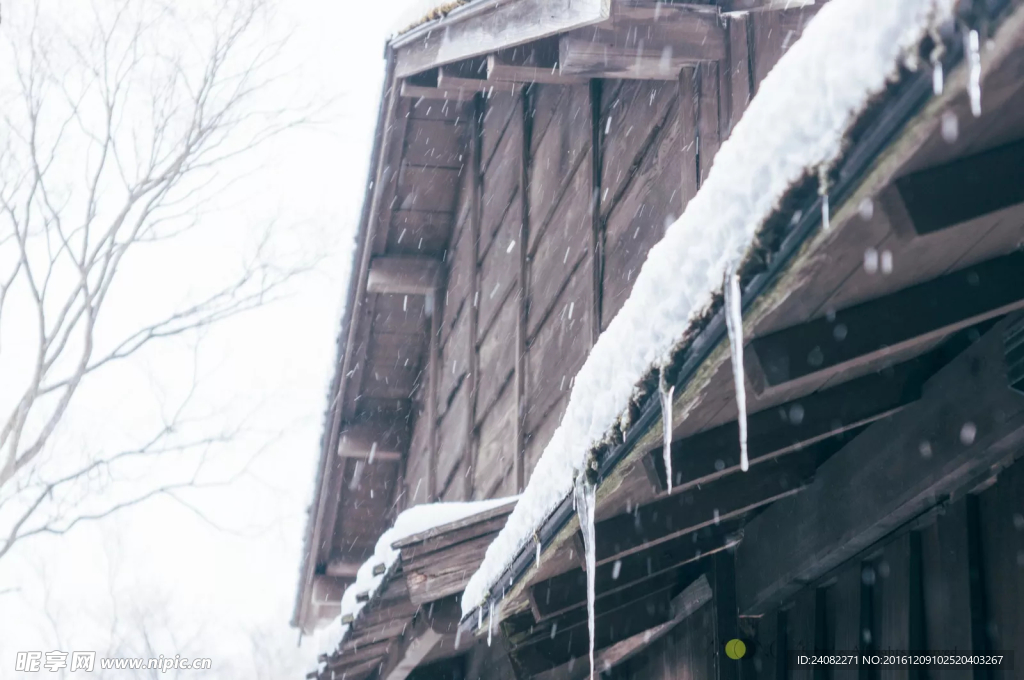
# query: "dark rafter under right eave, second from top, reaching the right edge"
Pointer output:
{"type": "Point", "coordinates": [881, 327]}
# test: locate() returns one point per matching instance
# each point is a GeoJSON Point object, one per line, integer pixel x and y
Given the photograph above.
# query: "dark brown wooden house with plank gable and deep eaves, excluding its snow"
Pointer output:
{"type": "Point", "coordinates": [529, 155]}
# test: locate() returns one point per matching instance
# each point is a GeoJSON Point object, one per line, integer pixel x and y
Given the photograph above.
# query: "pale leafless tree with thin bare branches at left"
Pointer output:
{"type": "Point", "coordinates": [121, 122]}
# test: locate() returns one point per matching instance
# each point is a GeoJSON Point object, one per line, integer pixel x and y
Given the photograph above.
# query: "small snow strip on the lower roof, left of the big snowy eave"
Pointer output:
{"type": "Point", "coordinates": [414, 521]}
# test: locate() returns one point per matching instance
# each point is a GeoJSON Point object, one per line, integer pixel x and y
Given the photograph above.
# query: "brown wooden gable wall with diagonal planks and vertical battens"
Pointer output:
{"type": "Point", "coordinates": [518, 326]}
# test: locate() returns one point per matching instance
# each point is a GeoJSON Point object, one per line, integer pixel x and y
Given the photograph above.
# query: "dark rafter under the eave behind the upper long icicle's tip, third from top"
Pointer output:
{"type": "Point", "coordinates": [791, 427]}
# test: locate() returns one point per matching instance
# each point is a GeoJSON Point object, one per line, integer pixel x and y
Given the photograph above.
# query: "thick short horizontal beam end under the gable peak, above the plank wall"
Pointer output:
{"type": "Point", "coordinates": [644, 50]}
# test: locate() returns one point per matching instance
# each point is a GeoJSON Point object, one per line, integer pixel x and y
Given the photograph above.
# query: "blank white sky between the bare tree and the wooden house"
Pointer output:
{"type": "Point", "coordinates": [201, 590]}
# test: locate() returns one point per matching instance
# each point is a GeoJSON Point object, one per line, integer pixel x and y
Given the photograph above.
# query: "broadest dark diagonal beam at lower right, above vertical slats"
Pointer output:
{"type": "Point", "coordinates": [967, 421]}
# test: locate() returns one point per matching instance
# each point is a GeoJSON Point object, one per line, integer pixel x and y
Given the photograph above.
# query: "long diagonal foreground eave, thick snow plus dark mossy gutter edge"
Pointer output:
{"type": "Point", "coordinates": [878, 109]}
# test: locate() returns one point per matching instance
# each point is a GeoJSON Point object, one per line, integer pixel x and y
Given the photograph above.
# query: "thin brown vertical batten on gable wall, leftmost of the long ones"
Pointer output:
{"type": "Point", "coordinates": [470, 454]}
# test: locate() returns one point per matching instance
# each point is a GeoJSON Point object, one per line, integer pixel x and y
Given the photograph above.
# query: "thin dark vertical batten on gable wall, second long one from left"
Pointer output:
{"type": "Point", "coordinates": [523, 302]}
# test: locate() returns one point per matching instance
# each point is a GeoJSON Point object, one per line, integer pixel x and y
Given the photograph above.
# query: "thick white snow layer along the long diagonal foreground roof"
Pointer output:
{"type": "Point", "coordinates": [796, 124]}
